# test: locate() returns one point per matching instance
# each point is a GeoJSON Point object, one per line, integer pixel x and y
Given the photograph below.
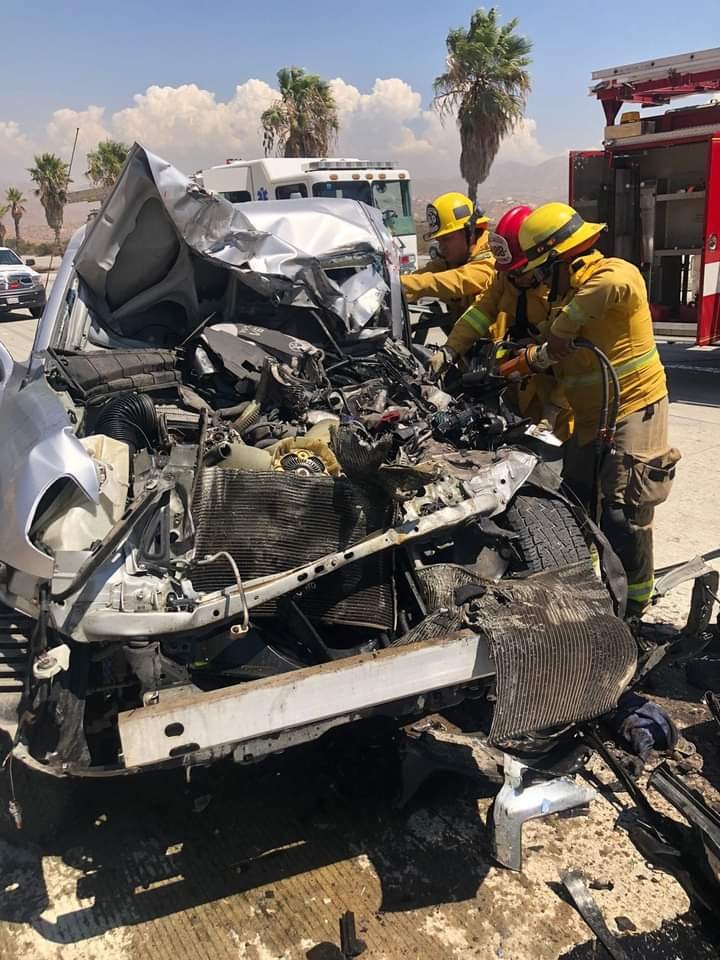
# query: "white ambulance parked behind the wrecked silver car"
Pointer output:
{"type": "Point", "coordinates": [380, 184]}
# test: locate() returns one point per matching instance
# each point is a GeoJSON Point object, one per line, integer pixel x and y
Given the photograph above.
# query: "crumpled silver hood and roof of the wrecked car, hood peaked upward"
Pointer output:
{"type": "Point", "coordinates": [161, 254]}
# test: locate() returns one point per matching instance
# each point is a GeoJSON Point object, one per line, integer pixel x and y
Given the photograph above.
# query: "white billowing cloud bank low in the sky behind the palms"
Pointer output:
{"type": "Point", "coordinates": [192, 128]}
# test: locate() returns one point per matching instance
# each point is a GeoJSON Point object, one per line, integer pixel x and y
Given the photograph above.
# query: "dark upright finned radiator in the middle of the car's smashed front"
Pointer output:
{"type": "Point", "coordinates": [271, 521]}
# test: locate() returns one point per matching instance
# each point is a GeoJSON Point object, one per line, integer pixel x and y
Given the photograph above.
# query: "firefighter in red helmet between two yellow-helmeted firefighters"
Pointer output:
{"type": "Point", "coordinates": [515, 306]}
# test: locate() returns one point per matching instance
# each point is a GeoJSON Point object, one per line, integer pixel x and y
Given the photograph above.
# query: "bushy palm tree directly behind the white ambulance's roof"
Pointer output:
{"type": "Point", "coordinates": [304, 121]}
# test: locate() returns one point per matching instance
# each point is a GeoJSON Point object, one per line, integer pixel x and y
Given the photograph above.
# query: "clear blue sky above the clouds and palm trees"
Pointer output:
{"type": "Point", "coordinates": [80, 53]}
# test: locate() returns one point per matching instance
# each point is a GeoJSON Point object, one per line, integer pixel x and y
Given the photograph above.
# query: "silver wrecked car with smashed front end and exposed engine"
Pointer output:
{"type": "Point", "coordinates": [237, 514]}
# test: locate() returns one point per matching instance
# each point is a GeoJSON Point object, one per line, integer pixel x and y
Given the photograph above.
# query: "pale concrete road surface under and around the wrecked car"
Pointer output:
{"type": "Point", "coordinates": [264, 871]}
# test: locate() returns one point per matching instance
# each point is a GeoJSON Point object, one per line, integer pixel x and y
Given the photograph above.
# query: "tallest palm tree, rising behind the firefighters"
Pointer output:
{"type": "Point", "coordinates": [487, 83]}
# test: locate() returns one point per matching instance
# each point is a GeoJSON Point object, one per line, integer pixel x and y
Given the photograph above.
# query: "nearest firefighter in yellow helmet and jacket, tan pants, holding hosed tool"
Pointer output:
{"type": "Point", "coordinates": [604, 300]}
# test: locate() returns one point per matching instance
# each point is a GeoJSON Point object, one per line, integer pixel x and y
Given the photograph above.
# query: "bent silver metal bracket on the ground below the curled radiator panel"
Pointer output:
{"type": "Point", "coordinates": [516, 803]}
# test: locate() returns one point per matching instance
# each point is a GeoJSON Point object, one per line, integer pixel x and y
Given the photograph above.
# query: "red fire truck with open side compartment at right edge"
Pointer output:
{"type": "Point", "coordinates": [656, 184]}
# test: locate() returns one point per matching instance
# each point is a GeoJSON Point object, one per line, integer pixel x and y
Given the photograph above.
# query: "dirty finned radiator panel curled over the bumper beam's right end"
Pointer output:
{"type": "Point", "coordinates": [561, 654]}
